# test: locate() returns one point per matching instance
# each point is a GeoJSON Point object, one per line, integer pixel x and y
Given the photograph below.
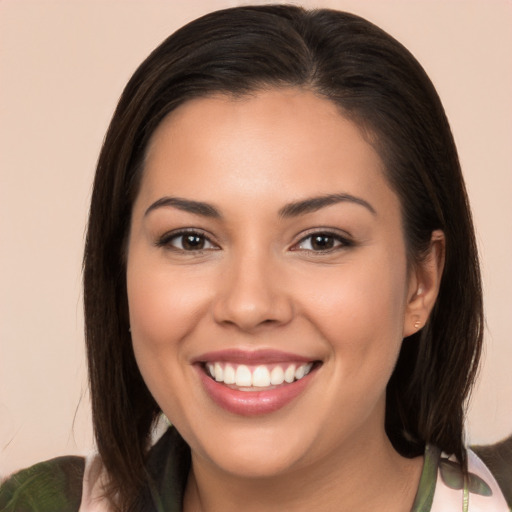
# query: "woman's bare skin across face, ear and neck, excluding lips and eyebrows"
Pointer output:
{"type": "Point", "coordinates": [258, 283]}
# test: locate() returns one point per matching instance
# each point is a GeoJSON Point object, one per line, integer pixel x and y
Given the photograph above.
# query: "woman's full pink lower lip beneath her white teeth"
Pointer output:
{"type": "Point", "coordinates": [253, 403]}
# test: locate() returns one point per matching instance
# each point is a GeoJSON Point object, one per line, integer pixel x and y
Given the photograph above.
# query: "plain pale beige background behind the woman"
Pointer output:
{"type": "Point", "coordinates": [62, 67]}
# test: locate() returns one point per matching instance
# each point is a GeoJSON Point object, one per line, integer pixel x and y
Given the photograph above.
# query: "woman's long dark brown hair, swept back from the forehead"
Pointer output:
{"type": "Point", "coordinates": [375, 82]}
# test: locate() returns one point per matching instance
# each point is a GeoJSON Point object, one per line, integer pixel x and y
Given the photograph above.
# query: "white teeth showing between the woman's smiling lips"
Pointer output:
{"type": "Point", "coordinates": [243, 377]}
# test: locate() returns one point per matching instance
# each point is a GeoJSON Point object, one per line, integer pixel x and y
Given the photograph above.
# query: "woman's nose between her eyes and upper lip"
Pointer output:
{"type": "Point", "coordinates": [252, 294]}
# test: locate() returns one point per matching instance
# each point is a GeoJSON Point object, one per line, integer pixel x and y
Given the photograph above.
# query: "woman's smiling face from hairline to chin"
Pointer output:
{"type": "Point", "coordinates": [267, 280]}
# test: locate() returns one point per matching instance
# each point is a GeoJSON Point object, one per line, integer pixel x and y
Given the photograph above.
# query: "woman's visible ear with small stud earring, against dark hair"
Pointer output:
{"type": "Point", "coordinates": [424, 283]}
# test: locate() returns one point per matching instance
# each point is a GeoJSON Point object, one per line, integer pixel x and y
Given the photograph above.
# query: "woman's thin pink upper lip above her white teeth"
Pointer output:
{"type": "Point", "coordinates": [251, 357]}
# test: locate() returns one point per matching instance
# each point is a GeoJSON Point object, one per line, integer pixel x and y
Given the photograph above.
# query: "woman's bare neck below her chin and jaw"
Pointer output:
{"type": "Point", "coordinates": [366, 475]}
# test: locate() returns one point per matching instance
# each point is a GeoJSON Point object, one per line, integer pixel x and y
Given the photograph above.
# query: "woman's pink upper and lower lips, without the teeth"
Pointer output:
{"type": "Point", "coordinates": [251, 403]}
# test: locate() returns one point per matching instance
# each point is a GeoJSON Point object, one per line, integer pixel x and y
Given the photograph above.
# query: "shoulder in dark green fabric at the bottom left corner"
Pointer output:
{"type": "Point", "coordinates": [53, 485]}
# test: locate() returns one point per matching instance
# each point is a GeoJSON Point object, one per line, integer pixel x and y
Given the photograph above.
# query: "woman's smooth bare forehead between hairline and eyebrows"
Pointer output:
{"type": "Point", "coordinates": [279, 142]}
